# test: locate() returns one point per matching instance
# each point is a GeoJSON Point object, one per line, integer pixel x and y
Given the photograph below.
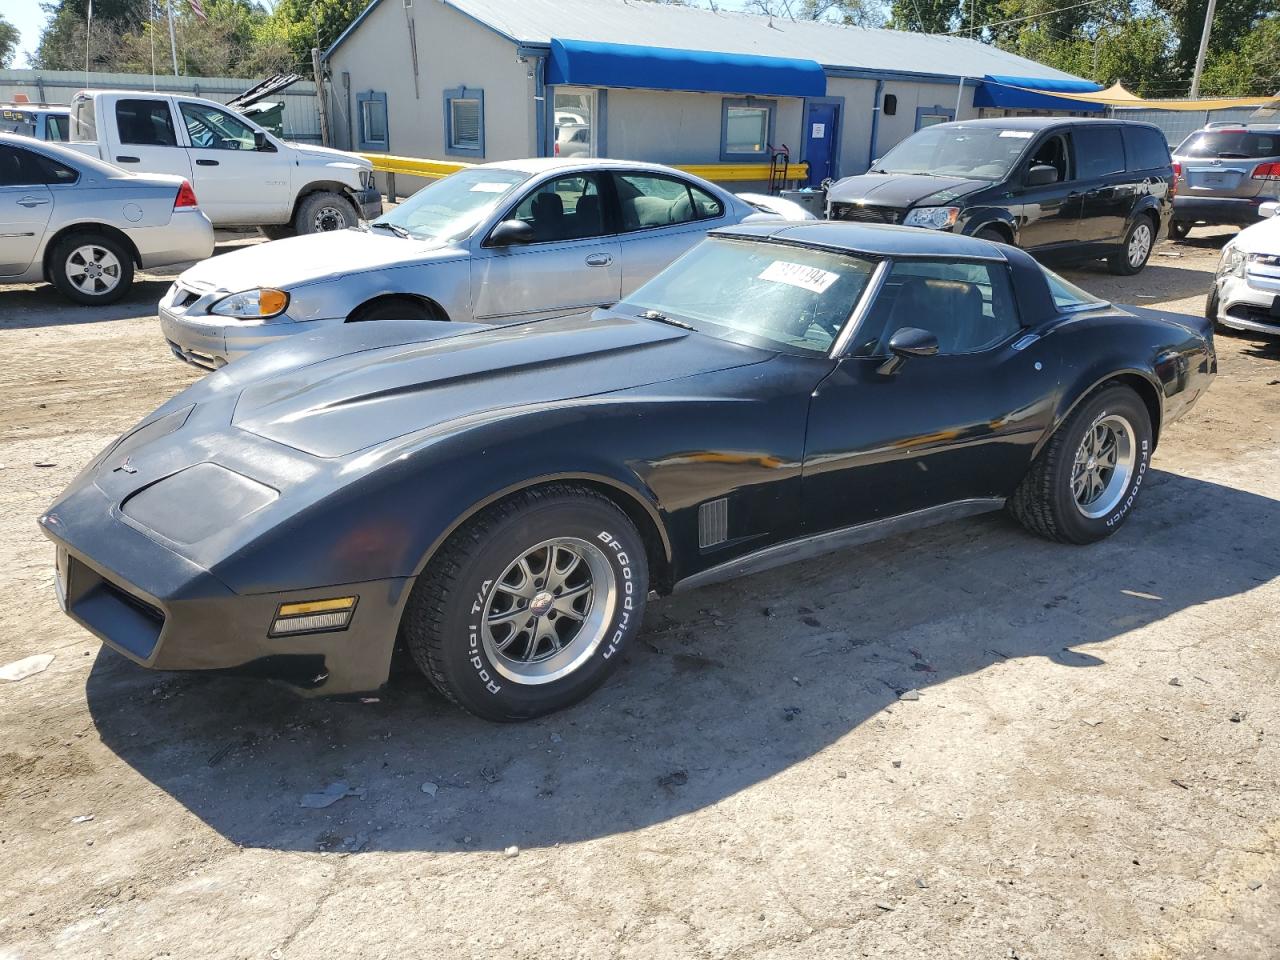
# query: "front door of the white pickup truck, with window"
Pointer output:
{"type": "Point", "coordinates": [249, 185]}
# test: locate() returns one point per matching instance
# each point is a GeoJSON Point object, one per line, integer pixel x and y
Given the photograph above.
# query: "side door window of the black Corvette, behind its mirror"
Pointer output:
{"type": "Point", "coordinates": [968, 307]}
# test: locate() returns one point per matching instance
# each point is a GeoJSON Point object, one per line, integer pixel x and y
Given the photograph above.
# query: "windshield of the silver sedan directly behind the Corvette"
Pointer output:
{"type": "Point", "coordinates": [452, 208]}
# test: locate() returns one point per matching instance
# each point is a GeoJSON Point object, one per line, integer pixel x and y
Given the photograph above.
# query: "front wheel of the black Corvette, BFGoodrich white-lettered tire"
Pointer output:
{"type": "Point", "coordinates": [529, 606]}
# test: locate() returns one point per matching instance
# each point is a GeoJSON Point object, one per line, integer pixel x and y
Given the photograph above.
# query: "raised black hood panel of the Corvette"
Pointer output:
{"type": "Point", "coordinates": [355, 401]}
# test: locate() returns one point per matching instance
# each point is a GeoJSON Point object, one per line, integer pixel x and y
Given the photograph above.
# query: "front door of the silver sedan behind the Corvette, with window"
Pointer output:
{"type": "Point", "coordinates": [574, 260]}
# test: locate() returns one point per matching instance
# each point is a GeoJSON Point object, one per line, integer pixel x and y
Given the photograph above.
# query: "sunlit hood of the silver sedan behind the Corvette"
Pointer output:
{"type": "Point", "coordinates": [298, 260]}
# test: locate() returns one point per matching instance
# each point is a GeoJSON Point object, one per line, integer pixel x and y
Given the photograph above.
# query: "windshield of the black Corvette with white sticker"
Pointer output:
{"type": "Point", "coordinates": [770, 295]}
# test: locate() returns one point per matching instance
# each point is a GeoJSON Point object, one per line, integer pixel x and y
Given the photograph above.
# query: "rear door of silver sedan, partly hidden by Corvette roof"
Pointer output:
{"type": "Point", "coordinates": [661, 217]}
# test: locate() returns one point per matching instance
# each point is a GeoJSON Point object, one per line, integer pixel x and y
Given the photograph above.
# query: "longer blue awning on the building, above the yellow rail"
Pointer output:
{"type": "Point", "coordinates": [592, 65]}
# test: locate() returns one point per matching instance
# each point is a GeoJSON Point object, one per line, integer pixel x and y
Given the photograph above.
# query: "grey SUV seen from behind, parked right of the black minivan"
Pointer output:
{"type": "Point", "coordinates": [1227, 172]}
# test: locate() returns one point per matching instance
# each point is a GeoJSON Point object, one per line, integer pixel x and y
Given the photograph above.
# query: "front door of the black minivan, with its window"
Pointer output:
{"type": "Point", "coordinates": [1049, 214]}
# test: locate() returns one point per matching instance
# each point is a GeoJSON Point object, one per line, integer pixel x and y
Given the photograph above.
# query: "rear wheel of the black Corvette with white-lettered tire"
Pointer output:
{"type": "Point", "coordinates": [1085, 483]}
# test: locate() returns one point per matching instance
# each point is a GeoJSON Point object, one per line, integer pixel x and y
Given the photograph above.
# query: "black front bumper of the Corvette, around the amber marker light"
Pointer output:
{"type": "Point", "coordinates": [164, 612]}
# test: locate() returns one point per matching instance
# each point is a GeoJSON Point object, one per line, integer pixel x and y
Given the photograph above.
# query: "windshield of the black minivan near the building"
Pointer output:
{"type": "Point", "coordinates": [958, 150]}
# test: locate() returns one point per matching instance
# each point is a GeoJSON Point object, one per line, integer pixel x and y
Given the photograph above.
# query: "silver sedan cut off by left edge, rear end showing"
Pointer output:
{"type": "Point", "coordinates": [85, 226]}
